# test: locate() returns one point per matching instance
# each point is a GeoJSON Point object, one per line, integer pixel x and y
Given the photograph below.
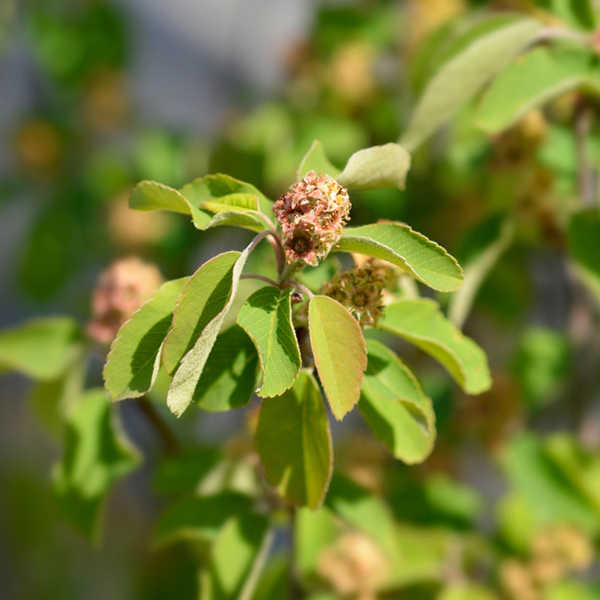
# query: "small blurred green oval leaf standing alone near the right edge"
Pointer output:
{"type": "Point", "coordinates": [542, 363]}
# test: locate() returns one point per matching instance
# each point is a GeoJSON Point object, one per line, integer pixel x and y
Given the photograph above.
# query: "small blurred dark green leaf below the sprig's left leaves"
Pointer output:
{"type": "Point", "coordinates": [184, 472]}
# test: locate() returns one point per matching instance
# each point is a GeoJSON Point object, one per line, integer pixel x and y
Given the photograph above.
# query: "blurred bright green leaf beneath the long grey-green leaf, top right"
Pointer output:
{"type": "Point", "coordinates": [533, 80]}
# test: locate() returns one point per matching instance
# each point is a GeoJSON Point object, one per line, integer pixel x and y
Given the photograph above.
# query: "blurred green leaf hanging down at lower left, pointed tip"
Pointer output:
{"type": "Point", "coordinates": [96, 456]}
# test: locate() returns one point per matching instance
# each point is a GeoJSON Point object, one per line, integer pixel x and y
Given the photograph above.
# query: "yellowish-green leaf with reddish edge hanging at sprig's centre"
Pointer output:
{"type": "Point", "coordinates": [340, 352]}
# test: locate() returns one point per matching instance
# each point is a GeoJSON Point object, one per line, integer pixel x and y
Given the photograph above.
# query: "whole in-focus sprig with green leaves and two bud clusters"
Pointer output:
{"type": "Point", "coordinates": [181, 327]}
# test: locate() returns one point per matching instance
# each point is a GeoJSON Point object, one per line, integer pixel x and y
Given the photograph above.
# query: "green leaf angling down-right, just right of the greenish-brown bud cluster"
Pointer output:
{"type": "Point", "coordinates": [421, 323]}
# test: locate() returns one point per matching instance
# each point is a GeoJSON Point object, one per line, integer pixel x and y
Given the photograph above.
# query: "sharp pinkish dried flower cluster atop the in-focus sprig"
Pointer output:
{"type": "Point", "coordinates": [312, 217]}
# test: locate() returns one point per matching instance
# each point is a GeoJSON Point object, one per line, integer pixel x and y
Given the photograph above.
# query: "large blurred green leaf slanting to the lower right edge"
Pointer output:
{"type": "Point", "coordinates": [534, 475]}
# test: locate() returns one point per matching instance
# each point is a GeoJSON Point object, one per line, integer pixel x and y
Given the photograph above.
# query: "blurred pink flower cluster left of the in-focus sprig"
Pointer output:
{"type": "Point", "coordinates": [121, 290]}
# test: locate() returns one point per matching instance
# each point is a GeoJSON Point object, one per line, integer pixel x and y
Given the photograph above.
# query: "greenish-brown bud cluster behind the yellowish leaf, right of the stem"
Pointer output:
{"type": "Point", "coordinates": [360, 290]}
